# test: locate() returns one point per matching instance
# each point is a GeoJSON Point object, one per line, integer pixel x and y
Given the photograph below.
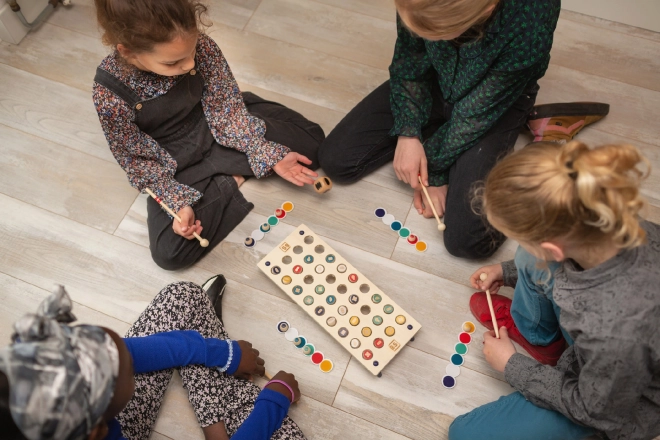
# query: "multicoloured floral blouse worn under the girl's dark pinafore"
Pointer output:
{"type": "Point", "coordinates": [145, 162]}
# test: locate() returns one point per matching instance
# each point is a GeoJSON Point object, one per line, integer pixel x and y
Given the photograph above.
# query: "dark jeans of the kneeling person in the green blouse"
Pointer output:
{"type": "Point", "coordinates": [361, 143]}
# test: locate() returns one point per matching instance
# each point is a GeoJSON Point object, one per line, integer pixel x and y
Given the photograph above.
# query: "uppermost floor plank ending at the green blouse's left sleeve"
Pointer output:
{"type": "Point", "coordinates": [327, 29]}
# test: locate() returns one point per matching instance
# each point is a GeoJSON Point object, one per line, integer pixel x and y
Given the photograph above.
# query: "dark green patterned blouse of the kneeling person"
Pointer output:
{"type": "Point", "coordinates": [482, 79]}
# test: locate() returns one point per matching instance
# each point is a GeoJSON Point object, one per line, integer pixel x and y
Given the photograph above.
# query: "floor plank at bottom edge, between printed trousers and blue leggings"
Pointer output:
{"type": "Point", "coordinates": [410, 399]}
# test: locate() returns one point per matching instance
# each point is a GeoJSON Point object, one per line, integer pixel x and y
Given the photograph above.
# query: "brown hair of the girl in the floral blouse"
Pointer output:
{"type": "Point", "coordinates": [140, 24]}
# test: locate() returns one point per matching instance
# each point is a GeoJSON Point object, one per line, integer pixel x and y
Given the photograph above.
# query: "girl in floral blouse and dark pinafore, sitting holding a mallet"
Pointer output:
{"type": "Point", "coordinates": [178, 124]}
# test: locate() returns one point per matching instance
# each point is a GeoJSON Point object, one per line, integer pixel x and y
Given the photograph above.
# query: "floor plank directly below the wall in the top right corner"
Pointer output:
{"type": "Point", "coordinates": [607, 53]}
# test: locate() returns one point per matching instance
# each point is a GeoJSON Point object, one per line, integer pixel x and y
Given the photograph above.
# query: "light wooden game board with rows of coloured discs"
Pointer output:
{"type": "Point", "coordinates": [362, 318]}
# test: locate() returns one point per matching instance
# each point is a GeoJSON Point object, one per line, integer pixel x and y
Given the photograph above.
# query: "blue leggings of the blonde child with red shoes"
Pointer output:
{"type": "Point", "coordinates": [513, 417]}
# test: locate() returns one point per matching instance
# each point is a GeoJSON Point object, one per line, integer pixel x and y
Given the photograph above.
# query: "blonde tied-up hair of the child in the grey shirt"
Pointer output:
{"type": "Point", "coordinates": [585, 196]}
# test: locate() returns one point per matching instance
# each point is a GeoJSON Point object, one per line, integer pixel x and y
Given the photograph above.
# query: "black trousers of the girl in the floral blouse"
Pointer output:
{"type": "Point", "coordinates": [222, 206]}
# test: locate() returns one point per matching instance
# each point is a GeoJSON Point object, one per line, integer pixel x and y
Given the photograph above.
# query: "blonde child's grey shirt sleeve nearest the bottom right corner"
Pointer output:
{"type": "Point", "coordinates": [604, 394]}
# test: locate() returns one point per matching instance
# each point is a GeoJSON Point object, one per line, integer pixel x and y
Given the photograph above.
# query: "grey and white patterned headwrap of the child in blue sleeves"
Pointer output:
{"type": "Point", "coordinates": [61, 378]}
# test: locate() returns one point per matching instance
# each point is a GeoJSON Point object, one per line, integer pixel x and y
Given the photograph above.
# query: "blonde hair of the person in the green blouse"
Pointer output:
{"type": "Point", "coordinates": [438, 19]}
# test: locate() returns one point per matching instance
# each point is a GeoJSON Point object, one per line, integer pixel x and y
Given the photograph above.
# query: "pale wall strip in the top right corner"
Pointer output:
{"type": "Point", "coordinates": [640, 13]}
